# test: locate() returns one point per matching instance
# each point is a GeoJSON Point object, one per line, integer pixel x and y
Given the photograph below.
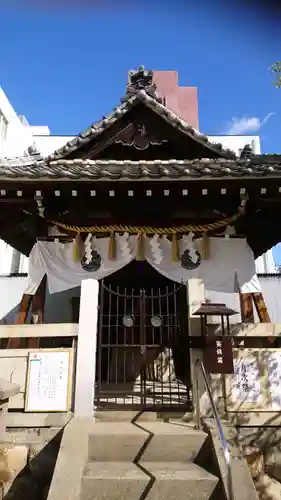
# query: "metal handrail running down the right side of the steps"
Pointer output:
{"type": "Point", "coordinates": [226, 454]}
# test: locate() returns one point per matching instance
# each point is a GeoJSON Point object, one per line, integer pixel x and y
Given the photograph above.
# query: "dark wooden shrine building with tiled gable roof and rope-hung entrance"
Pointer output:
{"type": "Point", "coordinates": [142, 202]}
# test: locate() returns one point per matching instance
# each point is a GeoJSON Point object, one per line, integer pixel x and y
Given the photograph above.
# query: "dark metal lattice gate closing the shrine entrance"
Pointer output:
{"type": "Point", "coordinates": [143, 353]}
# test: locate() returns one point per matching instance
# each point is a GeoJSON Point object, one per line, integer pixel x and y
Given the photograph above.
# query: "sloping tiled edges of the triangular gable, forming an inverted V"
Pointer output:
{"type": "Point", "coordinates": [141, 96]}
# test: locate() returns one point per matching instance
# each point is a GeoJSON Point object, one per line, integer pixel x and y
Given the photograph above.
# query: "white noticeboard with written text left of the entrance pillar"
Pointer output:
{"type": "Point", "coordinates": [48, 381]}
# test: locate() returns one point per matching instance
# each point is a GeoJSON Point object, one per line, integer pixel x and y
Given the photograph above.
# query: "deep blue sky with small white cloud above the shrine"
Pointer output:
{"type": "Point", "coordinates": [65, 68]}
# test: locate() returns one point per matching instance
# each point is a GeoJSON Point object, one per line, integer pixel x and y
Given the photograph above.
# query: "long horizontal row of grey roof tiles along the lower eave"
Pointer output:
{"type": "Point", "coordinates": [22, 169]}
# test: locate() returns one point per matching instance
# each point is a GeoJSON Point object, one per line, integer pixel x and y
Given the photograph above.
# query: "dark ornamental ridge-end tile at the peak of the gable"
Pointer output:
{"type": "Point", "coordinates": [142, 79]}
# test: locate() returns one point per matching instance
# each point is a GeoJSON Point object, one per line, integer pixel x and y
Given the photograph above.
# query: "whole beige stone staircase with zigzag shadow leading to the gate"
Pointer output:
{"type": "Point", "coordinates": [142, 459]}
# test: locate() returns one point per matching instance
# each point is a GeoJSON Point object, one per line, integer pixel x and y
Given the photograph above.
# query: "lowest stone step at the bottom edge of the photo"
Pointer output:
{"type": "Point", "coordinates": [161, 481]}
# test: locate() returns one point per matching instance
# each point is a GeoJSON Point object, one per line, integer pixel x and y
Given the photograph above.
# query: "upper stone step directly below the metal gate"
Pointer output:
{"type": "Point", "coordinates": [154, 441]}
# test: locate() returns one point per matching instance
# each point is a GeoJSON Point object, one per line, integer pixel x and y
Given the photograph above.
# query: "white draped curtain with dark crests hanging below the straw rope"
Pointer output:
{"type": "Point", "coordinates": [230, 263]}
